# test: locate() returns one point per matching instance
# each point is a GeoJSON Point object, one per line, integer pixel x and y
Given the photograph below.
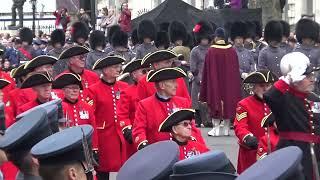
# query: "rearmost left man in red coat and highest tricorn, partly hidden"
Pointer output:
{"type": "Point", "coordinates": [76, 65]}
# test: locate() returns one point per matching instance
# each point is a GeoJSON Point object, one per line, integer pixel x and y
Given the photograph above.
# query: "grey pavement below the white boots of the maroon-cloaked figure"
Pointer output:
{"type": "Point", "coordinates": [227, 144]}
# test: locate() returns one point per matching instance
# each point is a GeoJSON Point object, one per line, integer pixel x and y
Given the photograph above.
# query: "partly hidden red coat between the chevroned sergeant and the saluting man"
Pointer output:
{"type": "Point", "coordinates": [263, 144]}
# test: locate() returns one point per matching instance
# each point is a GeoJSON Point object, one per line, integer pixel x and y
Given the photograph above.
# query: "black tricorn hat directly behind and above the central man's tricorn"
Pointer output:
{"type": "Point", "coordinates": [157, 56]}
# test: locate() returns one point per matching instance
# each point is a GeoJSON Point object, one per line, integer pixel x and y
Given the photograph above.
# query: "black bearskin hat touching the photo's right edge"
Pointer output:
{"type": "Point", "coordinates": [307, 28]}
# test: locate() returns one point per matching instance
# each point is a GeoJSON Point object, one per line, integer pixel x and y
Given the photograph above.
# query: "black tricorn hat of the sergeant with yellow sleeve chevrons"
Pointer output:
{"type": "Point", "coordinates": [261, 76]}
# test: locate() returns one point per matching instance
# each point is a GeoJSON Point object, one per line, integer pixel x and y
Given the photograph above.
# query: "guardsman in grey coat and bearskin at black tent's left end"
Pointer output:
{"type": "Point", "coordinates": [146, 33]}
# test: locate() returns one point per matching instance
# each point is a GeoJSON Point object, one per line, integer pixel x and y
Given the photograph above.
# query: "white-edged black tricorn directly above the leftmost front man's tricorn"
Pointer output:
{"type": "Point", "coordinates": [39, 61]}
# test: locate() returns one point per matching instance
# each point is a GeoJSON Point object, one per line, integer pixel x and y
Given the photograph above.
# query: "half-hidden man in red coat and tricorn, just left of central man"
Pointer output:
{"type": "Point", "coordinates": [128, 103]}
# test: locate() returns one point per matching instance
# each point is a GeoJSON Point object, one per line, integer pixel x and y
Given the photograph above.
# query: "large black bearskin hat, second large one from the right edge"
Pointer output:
{"type": "Point", "coordinates": [273, 31]}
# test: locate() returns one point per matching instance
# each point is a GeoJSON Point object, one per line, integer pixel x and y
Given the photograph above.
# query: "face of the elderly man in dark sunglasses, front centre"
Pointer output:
{"type": "Point", "coordinates": [183, 129]}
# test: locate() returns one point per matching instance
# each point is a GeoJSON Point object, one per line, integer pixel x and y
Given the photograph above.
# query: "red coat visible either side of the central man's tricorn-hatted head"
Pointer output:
{"type": "Point", "coordinates": [146, 89]}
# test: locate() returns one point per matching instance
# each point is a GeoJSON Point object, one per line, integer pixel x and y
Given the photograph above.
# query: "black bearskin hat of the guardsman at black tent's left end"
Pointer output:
{"type": "Point", "coordinates": [146, 29]}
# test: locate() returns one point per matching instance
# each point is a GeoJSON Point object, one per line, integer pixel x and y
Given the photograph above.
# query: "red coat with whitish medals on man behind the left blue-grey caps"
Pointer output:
{"type": "Point", "coordinates": [79, 113]}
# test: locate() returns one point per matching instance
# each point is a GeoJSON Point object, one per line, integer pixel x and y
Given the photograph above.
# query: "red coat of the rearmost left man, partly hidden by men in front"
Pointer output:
{"type": "Point", "coordinates": [88, 78]}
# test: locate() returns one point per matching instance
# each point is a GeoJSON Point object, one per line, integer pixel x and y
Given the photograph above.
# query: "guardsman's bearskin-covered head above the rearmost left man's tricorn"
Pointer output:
{"type": "Point", "coordinates": [79, 33]}
